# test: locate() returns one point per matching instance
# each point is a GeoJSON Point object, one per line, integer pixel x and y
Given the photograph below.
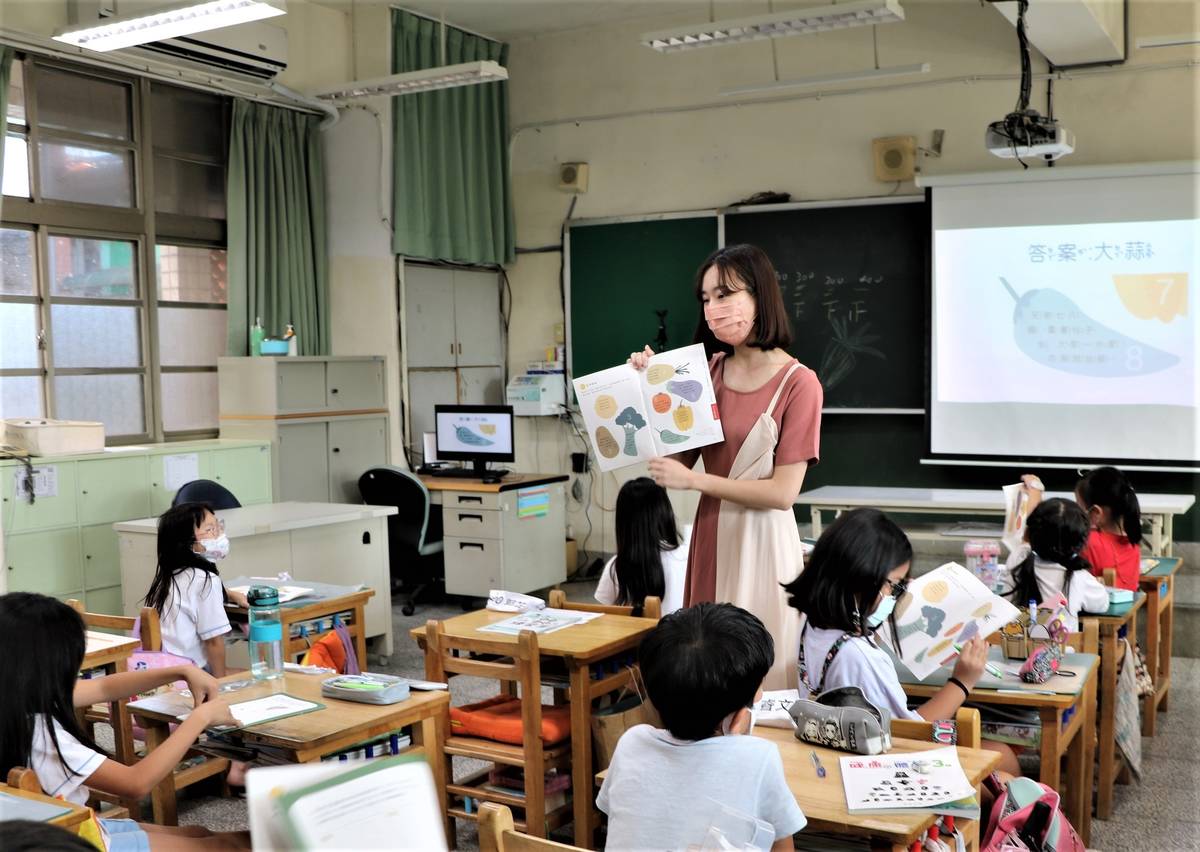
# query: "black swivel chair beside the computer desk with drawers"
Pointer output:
{"type": "Point", "coordinates": [415, 533]}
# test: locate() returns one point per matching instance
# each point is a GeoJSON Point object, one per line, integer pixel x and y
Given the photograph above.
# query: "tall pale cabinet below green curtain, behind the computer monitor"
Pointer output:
{"type": "Point", "coordinates": [453, 341]}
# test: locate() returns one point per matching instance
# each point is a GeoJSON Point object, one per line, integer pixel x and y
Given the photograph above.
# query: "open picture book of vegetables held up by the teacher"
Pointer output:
{"type": "Point", "coordinates": [633, 416]}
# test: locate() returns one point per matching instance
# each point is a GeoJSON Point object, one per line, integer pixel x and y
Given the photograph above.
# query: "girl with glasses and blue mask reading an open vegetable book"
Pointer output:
{"type": "Point", "coordinates": [845, 595]}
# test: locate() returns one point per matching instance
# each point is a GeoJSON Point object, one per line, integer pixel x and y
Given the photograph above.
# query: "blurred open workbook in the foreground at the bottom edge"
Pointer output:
{"type": "Point", "coordinates": [385, 803]}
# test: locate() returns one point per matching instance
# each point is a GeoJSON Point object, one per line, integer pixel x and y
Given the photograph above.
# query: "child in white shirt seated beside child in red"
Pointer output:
{"type": "Point", "coordinates": [1051, 563]}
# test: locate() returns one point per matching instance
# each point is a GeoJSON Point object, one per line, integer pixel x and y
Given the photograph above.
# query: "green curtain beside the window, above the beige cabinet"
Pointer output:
{"type": "Point", "coordinates": [279, 268]}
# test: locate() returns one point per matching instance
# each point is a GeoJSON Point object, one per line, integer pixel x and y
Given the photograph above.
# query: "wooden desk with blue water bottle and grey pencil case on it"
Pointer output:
{"type": "Point", "coordinates": [308, 737]}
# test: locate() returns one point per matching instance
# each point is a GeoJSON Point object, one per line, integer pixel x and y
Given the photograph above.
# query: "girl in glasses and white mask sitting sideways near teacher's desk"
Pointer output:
{"type": "Point", "coordinates": [188, 591]}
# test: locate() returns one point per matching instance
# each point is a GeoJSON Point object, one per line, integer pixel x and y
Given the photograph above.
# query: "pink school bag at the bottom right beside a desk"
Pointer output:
{"type": "Point", "coordinates": [1027, 819]}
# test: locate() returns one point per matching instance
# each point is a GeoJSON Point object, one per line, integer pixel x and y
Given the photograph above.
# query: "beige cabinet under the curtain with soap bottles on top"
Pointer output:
{"type": "Point", "coordinates": [325, 418]}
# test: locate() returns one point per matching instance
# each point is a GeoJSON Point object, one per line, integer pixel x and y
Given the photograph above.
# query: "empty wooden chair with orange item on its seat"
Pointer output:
{"type": "Point", "coordinates": [512, 664]}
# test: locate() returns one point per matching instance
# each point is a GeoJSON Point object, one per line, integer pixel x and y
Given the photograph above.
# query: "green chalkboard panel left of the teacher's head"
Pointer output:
{"type": "Point", "coordinates": [625, 273]}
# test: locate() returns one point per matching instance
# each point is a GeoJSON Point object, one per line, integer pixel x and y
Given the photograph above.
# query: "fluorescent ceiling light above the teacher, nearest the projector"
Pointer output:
{"type": "Point", "coordinates": [791, 23]}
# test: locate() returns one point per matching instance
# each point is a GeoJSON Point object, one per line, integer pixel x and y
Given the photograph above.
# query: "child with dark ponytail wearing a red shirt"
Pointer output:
{"type": "Point", "coordinates": [1115, 518]}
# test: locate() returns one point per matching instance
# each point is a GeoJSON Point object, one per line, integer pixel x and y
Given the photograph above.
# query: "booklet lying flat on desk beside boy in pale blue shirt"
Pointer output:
{"type": "Point", "coordinates": [928, 782]}
